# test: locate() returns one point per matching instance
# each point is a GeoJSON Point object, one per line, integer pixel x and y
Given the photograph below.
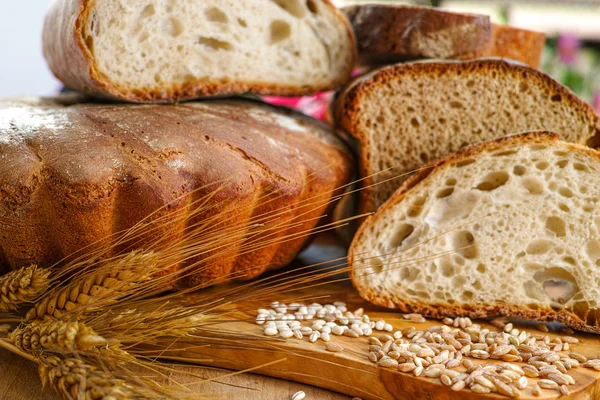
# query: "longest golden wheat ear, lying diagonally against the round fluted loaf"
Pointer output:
{"type": "Point", "coordinates": [93, 290]}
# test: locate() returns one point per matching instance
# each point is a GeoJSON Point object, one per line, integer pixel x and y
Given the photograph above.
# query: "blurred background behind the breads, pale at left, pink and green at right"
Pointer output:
{"type": "Point", "coordinates": [571, 55]}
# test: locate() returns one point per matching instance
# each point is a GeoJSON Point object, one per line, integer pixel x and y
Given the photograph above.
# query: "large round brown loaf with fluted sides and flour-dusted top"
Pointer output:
{"type": "Point", "coordinates": [73, 174]}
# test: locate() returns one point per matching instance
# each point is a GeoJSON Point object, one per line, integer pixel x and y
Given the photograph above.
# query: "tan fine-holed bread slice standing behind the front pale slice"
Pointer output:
{"type": "Point", "coordinates": [408, 114]}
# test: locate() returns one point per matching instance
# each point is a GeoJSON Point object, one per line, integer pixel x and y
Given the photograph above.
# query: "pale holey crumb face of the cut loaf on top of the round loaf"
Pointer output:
{"type": "Point", "coordinates": [152, 44]}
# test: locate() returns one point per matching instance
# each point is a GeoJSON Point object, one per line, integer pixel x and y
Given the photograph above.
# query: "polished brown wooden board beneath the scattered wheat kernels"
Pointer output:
{"type": "Point", "coordinates": [350, 372]}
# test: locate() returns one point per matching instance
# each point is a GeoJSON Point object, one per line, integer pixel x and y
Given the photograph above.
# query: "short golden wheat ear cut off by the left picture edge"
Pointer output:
{"type": "Point", "coordinates": [22, 286]}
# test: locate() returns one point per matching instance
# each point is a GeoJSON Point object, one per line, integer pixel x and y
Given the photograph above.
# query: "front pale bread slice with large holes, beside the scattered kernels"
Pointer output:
{"type": "Point", "coordinates": [507, 227]}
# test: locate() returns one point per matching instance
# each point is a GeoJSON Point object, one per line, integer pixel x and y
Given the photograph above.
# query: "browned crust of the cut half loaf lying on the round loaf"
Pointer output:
{"type": "Point", "coordinates": [72, 62]}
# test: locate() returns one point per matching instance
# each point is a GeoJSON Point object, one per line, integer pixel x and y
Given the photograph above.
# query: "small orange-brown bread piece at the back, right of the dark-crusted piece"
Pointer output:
{"type": "Point", "coordinates": [517, 44]}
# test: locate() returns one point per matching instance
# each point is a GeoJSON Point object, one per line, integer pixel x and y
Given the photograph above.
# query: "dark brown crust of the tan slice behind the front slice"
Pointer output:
{"type": "Point", "coordinates": [347, 107]}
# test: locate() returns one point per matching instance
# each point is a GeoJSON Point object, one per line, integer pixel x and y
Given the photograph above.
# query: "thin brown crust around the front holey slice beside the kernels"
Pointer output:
{"type": "Point", "coordinates": [473, 310]}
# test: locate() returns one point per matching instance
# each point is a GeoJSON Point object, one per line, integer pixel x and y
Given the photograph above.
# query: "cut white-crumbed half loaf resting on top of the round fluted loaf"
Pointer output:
{"type": "Point", "coordinates": [164, 51]}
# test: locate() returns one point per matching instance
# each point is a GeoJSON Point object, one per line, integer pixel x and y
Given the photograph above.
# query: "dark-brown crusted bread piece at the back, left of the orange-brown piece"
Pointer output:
{"type": "Point", "coordinates": [388, 33]}
